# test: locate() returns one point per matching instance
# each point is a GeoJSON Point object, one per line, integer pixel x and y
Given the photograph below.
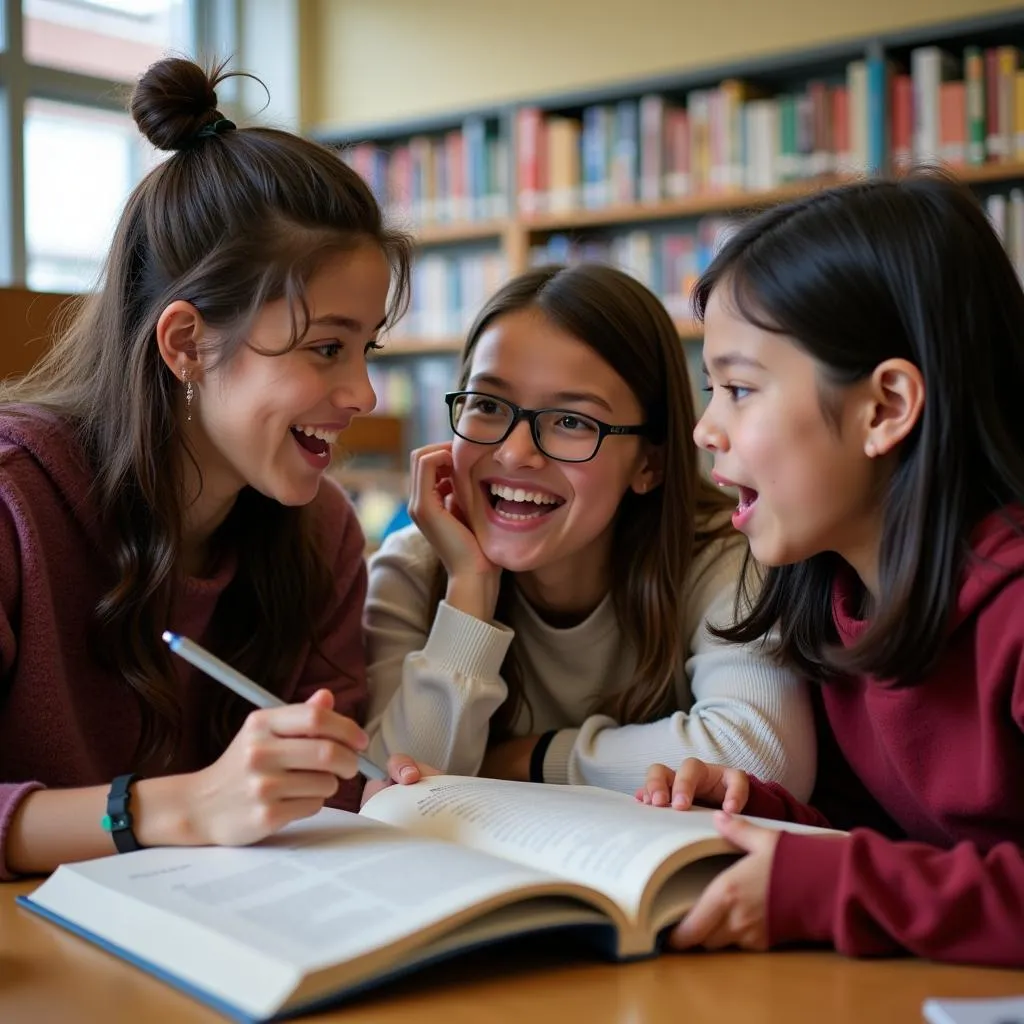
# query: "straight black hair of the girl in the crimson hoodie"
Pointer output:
{"type": "Point", "coordinates": [891, 270]}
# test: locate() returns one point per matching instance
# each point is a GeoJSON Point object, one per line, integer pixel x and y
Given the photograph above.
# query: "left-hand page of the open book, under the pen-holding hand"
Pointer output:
{"type": "Point", "coordinates": [324, 891]}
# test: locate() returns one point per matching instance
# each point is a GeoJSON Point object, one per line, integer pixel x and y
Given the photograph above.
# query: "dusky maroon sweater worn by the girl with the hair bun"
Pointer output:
{"type": "Point", "coordinates": [65, 720]}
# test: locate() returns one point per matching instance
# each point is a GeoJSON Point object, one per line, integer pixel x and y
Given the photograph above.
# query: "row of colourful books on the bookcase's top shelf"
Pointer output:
{"type": "Point", "coordinates": [965, 108]}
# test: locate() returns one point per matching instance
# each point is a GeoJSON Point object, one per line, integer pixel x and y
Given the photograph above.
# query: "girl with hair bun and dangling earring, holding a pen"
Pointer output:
{"type": "Point", "coordinates": [163, 468]}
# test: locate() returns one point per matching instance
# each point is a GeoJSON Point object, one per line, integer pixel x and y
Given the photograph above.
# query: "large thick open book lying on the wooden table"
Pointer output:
{"type": "Point", "coordinates": [340, 902]}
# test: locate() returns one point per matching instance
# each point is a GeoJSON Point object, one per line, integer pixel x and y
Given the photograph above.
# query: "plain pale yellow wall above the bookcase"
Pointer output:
{"type": "Point", "coordinates": [367, 61]}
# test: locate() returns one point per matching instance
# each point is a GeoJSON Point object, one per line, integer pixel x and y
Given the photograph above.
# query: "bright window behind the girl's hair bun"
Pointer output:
{"type": "Point", "coordinates": [70, 154]}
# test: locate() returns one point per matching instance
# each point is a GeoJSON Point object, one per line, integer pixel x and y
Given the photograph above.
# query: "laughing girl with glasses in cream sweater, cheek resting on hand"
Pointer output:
{"type": "Point", "coordinates": [547, 616]}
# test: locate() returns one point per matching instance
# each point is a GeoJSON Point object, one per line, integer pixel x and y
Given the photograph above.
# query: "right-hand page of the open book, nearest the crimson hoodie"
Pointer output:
{"type": "Point", "coordinates": [593, 837]}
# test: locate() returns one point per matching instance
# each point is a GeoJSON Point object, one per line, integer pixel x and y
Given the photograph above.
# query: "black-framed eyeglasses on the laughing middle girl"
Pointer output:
{"type": "Point", "coordinates": [561, 434]}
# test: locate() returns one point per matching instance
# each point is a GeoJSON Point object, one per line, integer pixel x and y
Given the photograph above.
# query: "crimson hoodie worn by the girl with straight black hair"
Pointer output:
{"type": "Point", "coordinates": [937, 772]}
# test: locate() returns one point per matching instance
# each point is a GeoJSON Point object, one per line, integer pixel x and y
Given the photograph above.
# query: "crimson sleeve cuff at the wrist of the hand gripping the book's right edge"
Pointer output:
{"type": "Point", "coordinates": [805, 877]}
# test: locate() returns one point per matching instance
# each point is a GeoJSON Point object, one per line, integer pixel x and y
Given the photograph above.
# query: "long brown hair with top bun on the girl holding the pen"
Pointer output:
{"type": "Point", "coordinates": [233, 221]}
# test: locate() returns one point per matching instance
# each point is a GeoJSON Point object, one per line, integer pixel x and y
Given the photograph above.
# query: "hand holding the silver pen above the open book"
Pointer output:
{"type": "Point", "coordinates": [283, 765]}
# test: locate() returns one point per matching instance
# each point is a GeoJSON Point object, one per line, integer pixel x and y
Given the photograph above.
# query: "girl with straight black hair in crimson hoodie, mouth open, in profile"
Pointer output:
{"type": "Point", "coordinates": [866, 355]}
